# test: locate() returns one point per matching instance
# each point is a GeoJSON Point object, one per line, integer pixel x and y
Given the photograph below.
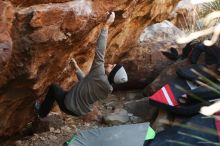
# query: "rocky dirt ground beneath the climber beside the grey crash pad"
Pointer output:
{"type": "Point", "coordinates": [57, 128]}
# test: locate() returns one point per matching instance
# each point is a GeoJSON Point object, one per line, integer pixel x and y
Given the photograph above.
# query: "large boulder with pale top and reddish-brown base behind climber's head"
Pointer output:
{"type": "Point", "coordinates": [145, 60]}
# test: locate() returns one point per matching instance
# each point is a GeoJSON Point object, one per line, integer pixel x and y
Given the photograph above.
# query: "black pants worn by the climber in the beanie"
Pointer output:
{"type": "Point", "coordinates": [55, 93]}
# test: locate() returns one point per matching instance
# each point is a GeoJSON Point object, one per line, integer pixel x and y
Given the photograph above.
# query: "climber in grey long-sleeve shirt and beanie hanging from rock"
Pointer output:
{"type": "Point", "coordinates": [95, 86]}
